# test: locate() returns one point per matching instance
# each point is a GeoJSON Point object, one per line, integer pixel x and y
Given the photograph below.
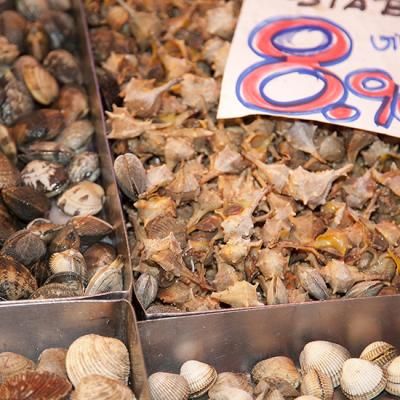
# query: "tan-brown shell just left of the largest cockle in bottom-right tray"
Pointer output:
{"type": "Point", "coordinates": [277, 367]}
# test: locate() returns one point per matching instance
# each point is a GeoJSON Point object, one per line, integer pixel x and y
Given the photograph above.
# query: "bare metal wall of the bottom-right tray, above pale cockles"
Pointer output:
{"type": "Point", "coordinates": [235, 341]}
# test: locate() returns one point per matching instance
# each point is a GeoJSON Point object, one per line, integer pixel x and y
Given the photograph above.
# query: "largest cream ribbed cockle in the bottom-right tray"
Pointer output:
{"type": "Point", "coordinates": [326, 357]}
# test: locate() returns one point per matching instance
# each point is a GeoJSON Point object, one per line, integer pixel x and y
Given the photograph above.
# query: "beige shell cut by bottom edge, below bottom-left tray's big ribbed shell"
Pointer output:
{"type": "Point", "coordinates": [97, 387]}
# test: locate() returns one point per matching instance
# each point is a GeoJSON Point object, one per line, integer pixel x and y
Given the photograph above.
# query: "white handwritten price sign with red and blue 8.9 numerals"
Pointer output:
{"type": "Point", "coordinates": [324, 62]}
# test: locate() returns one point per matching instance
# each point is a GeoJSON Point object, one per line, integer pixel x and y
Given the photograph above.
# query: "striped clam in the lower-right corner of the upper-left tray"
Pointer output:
{"type": "Point", "coordinates": [107, 279]}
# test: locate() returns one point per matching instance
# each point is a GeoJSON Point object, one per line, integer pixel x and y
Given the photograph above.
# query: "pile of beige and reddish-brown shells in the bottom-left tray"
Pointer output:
{"type": "Point", "coordinates": [97, 367]}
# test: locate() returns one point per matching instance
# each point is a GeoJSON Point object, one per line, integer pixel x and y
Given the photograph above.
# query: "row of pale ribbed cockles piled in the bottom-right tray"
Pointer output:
{"type": "Point", "coordinates": [324, 368]}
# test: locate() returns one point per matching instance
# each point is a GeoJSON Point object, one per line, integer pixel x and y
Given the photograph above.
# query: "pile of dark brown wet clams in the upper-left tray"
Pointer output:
{"type": "Point", "coordinates": [49, 198]}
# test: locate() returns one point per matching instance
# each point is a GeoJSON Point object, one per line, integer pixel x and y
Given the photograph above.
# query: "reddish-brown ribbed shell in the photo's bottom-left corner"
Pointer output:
{"type": "Point", "coordinates": [35, 385]}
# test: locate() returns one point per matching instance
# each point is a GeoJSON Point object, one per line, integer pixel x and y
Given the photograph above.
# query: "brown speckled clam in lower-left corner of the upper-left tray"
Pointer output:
{"type": "Point", "coordinates": [16, 282]}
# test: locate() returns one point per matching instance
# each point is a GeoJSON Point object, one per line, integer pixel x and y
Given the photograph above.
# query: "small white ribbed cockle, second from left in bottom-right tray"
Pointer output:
{"type": "Point", "coordinates": [200, 376]}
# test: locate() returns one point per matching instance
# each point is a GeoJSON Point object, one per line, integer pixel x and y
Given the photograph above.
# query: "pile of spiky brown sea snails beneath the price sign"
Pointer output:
{"type": "Point", "coordinates": [234, 213]}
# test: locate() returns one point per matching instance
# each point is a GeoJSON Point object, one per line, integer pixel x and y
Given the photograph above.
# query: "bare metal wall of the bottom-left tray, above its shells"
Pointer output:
{"type": "Point", "coordinates": [29, 328]}
